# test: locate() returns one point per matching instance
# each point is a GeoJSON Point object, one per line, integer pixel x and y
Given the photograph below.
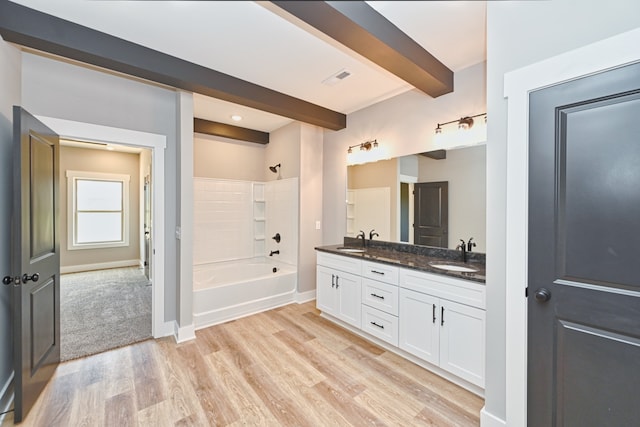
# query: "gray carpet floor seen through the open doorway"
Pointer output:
{"type": "Point", "coordinates": [102, 310]}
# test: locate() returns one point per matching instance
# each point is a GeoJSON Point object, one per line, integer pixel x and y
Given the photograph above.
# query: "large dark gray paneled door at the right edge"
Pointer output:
{"type": "Point", "coordinates": [584, 257]}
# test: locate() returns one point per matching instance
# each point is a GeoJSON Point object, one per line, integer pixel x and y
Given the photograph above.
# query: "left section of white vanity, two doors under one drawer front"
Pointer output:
{"type": "Point", "coordinates": [338, 287]}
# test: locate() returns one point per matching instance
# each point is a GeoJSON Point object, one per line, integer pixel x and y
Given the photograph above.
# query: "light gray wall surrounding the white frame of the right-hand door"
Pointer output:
{"type": "Point", "coordinates": [519, 34]}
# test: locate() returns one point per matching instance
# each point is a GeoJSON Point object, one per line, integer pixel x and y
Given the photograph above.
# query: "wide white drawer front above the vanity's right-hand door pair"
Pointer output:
{"type": "Point", "coordinates": [462, 291]}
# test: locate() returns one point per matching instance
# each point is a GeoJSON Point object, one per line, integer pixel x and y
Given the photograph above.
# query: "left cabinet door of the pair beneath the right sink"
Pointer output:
{"type": "Point", "coordinates": [419, 325]}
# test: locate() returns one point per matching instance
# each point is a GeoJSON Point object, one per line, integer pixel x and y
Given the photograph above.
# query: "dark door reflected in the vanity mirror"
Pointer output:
{"type": "Point", "coordinates": [431, 214]}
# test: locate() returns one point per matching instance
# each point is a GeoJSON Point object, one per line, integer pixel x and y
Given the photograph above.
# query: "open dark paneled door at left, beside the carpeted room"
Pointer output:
{"type": "Point", "coordinates": [36, 259]}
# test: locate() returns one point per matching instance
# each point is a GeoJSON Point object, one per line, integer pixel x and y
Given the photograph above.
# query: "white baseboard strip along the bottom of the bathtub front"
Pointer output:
{"type": "Point", "coordinates": [214, 317]}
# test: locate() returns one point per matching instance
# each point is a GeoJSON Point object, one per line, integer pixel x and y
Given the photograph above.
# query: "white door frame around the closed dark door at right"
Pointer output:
{"type": "Point", "coordinates": [605, 54]}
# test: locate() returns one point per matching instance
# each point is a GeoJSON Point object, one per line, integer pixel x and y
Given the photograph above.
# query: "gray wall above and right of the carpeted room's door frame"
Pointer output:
{"type": "Point", "coordinates": [60, 89]}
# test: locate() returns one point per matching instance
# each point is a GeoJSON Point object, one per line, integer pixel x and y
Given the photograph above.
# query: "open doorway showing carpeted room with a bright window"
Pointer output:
{"type": "Point", "coordinates": [105, 297]}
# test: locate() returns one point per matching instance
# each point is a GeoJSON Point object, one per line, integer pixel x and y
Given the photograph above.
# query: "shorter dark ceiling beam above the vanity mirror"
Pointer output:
{"type": "Point", "coordinates": [362, 29]}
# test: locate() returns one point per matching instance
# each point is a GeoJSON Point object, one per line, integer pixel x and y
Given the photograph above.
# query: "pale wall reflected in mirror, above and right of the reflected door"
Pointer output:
{"type": "Point", "coordinates": [465, 170]}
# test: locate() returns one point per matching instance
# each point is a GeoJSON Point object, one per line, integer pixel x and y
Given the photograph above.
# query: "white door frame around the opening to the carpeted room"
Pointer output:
{"type": "Point", "coordinates": [157, 143]}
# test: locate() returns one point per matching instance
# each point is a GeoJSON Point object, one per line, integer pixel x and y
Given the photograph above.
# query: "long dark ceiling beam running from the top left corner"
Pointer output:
{"type": "Point", "coordinates": [47, 33]}
